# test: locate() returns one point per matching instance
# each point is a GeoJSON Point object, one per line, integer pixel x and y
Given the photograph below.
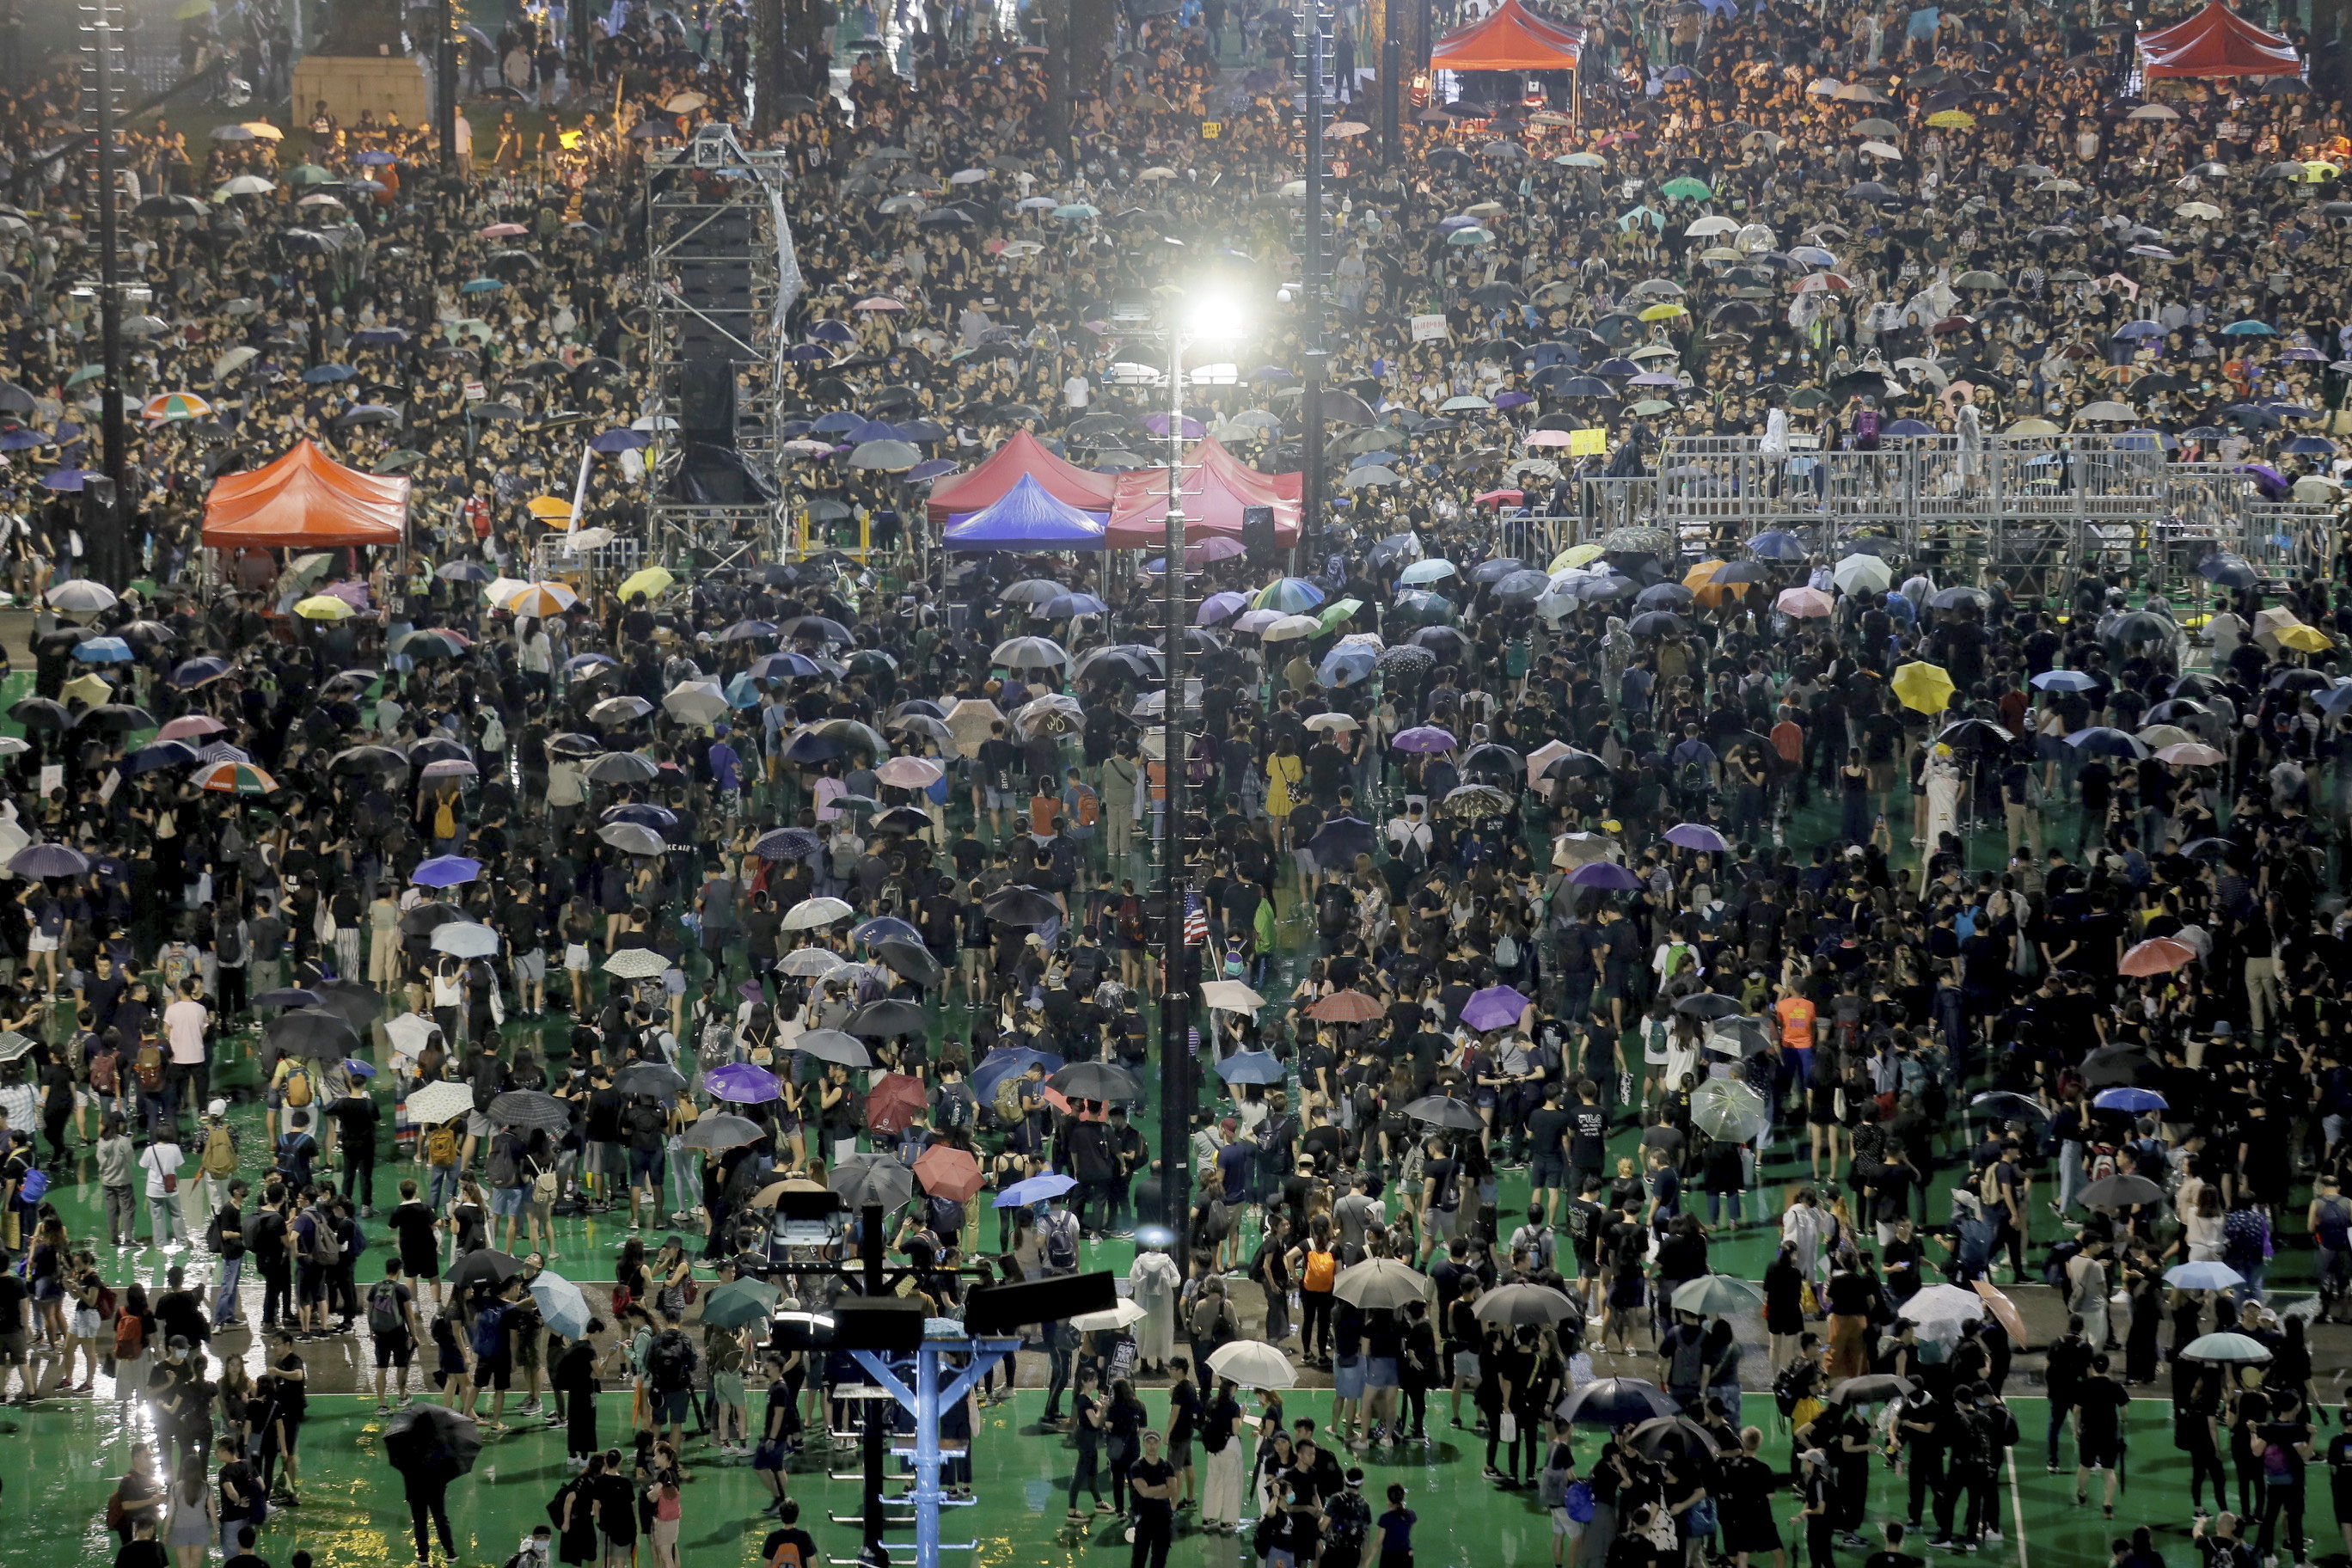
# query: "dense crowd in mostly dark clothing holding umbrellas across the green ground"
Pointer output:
{"type": "Point", "coordinates": [1939, 934]}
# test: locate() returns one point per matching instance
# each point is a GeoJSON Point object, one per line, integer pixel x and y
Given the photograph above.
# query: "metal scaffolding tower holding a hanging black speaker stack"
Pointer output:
{"type": "Point", "coordinates": [721, 279]}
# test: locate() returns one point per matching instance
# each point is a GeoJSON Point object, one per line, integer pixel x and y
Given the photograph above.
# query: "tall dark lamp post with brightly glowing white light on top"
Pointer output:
{"type": "Point", "coordinates": [1208, 321]}
